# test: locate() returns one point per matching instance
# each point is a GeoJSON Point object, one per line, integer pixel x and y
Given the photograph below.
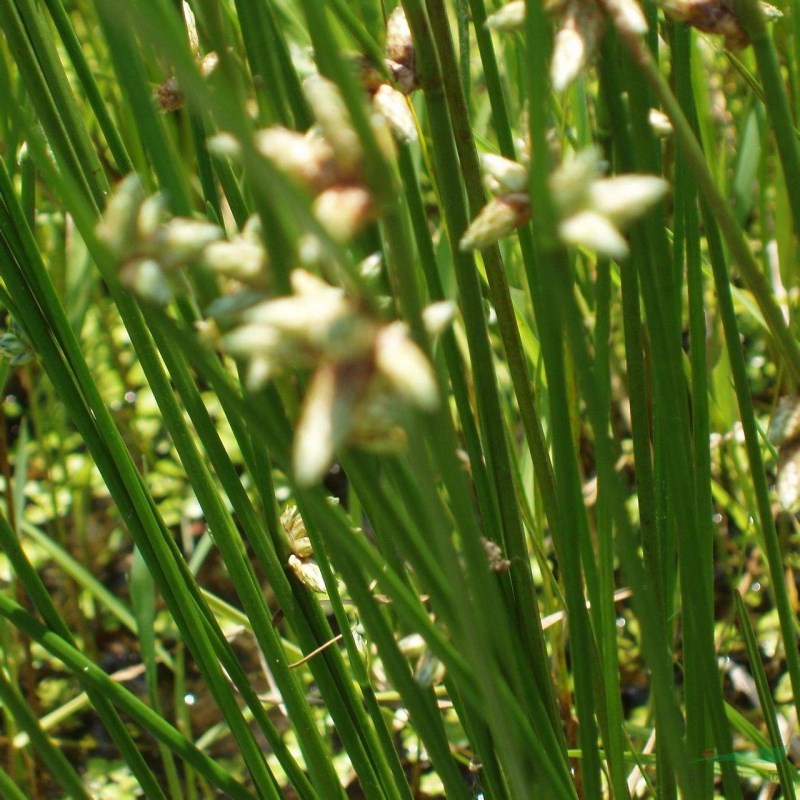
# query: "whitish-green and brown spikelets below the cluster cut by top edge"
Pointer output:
{"type": "Point", "coordinates": [593, 210]}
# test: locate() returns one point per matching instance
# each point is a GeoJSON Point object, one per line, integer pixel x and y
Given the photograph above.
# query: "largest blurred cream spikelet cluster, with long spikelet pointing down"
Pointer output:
{"type": "Point", "coordinates": [364, 371]}
